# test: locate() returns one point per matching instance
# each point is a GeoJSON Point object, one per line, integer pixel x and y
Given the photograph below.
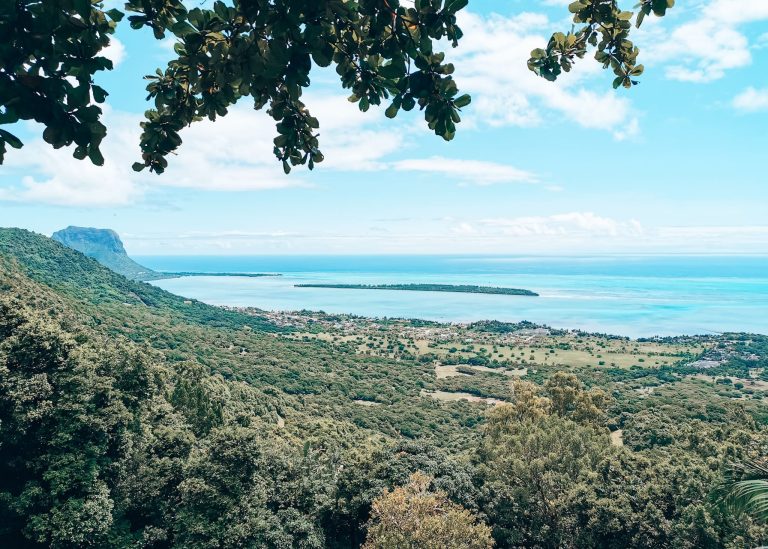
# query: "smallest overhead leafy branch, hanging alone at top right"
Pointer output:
{"type": "Point", "coordinates": [605, 27]}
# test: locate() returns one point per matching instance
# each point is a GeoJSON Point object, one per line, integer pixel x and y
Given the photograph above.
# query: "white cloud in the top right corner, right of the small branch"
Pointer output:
{"type": "Point", "coordinates": [703, 49]}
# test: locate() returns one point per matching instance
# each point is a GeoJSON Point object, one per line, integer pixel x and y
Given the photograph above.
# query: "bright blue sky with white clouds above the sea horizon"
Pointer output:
{"type": "Point", "coordinates": [674, 165]}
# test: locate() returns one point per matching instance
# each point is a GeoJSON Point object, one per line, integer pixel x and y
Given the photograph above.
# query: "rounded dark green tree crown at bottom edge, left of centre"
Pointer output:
{"type": "Point", "coordinates": [243, 489]}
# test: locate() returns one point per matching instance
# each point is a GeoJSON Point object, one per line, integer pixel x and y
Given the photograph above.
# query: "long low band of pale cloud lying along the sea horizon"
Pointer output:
{"type": "Point", "coordinates": [572, 232]}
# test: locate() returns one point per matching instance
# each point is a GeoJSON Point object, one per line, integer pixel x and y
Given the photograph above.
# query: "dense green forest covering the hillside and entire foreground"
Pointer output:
{"type": "Point", "coordinates": [130, 417]}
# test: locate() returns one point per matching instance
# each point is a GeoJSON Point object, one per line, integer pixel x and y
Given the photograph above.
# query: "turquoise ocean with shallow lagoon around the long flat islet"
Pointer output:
{"type": "Point", "coordinates": [635, 296]}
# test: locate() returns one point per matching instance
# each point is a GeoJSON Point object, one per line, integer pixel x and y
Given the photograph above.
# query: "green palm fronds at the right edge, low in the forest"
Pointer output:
{"type": "Point", "coordinates": [745, 490]}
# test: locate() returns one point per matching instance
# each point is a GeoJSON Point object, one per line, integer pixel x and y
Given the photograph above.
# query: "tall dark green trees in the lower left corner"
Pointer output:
{"type": "Point", "coordinates": [68, 413]}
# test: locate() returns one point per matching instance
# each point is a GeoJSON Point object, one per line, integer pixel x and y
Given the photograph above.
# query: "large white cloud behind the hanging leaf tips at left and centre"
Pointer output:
{"type": "Point", "coordinates": [232, 154]}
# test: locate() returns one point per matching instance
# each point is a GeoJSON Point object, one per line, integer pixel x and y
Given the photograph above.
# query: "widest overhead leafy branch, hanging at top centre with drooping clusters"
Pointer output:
{"type": "Point", "coordinates": [266, 49]}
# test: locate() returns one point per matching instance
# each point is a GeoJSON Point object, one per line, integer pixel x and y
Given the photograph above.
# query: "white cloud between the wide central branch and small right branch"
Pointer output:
{"type": "Point", "coordinates": [491, 65]}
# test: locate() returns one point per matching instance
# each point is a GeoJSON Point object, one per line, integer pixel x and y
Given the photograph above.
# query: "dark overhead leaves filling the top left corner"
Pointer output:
{"type": "Point", "coordinates": [49, 54]}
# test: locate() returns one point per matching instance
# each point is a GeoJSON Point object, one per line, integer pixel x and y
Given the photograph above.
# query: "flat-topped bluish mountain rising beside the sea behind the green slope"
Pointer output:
{"type": "Point", "coordinates": [105, 246]}
